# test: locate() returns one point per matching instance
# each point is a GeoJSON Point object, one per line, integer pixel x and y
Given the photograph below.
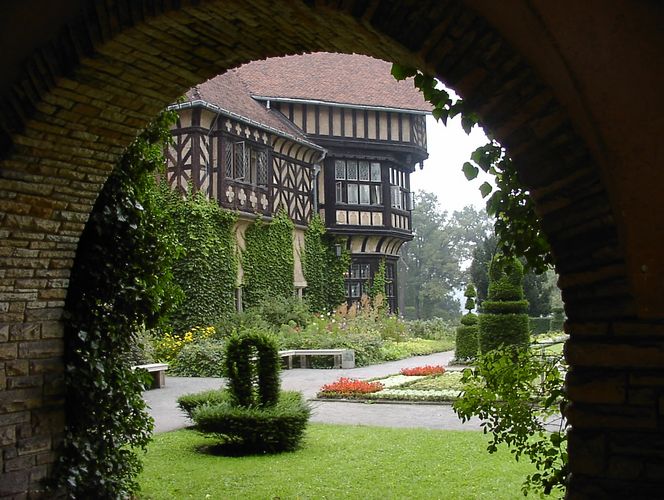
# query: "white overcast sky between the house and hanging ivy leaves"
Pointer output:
{"type": "Point", "coordinates": [449, 147]}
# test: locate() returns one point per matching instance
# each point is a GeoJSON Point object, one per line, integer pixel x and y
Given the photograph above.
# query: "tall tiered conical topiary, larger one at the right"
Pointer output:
{"type": "Point", "coordinates": [504, 316]}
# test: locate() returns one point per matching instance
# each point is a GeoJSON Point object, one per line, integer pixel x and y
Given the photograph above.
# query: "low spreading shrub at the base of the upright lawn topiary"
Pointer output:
{"type": "Point", "coordinates": [251, 430]}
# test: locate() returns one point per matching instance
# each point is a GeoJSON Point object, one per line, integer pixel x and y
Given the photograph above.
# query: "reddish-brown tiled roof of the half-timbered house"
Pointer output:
{"type": "Point", "coordinates": [336, 78]}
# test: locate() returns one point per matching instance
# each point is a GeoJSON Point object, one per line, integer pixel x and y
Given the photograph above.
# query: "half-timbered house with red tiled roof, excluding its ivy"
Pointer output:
{"type": "Point", "coordinates": [322, 132]}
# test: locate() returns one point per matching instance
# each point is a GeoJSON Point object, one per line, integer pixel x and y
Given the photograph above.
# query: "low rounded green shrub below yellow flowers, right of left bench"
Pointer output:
{"type": "Point", "coordinates": [200, 359]}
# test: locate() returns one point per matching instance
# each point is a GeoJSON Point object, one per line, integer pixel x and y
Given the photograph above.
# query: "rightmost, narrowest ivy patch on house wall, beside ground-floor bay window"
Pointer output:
{"type": "Point", "coordinates": [323, 270]}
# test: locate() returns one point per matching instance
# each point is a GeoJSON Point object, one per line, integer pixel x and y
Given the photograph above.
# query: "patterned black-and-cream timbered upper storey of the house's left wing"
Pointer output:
{"type": "Point", "coordinates": [242, 166]}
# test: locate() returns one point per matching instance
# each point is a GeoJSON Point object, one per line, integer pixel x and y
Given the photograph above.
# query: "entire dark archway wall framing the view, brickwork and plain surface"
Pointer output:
{"type": "Point", "coordinates": [556, 84]}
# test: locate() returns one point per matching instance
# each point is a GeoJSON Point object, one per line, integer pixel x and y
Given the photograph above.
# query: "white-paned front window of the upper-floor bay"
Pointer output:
{"type": "Point", "coordinates": [358, 182]}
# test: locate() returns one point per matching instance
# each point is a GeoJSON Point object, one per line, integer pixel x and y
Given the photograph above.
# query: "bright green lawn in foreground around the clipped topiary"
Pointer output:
{"type": "Point", "coordinates": [337, 462]}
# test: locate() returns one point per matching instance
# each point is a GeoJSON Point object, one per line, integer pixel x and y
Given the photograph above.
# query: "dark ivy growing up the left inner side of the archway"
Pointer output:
{"type": "Point", "coordinates": [121, 281]}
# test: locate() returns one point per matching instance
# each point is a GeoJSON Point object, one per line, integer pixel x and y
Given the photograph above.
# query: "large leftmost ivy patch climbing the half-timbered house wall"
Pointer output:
{"type": "Point", "coordinates": [207, 269]}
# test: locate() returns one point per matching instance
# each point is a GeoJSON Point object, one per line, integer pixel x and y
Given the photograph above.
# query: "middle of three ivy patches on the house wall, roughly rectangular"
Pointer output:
{"type": "Point", "coordinates": [268, 259]}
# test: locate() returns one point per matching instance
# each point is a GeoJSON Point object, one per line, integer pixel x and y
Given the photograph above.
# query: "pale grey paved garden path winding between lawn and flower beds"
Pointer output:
{"type": "Point", "coordinates": [163, 402]}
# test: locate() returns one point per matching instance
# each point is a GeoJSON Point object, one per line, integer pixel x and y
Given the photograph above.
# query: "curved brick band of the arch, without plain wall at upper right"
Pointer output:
{"type": "Point", "coordinates": [83, 95]}
